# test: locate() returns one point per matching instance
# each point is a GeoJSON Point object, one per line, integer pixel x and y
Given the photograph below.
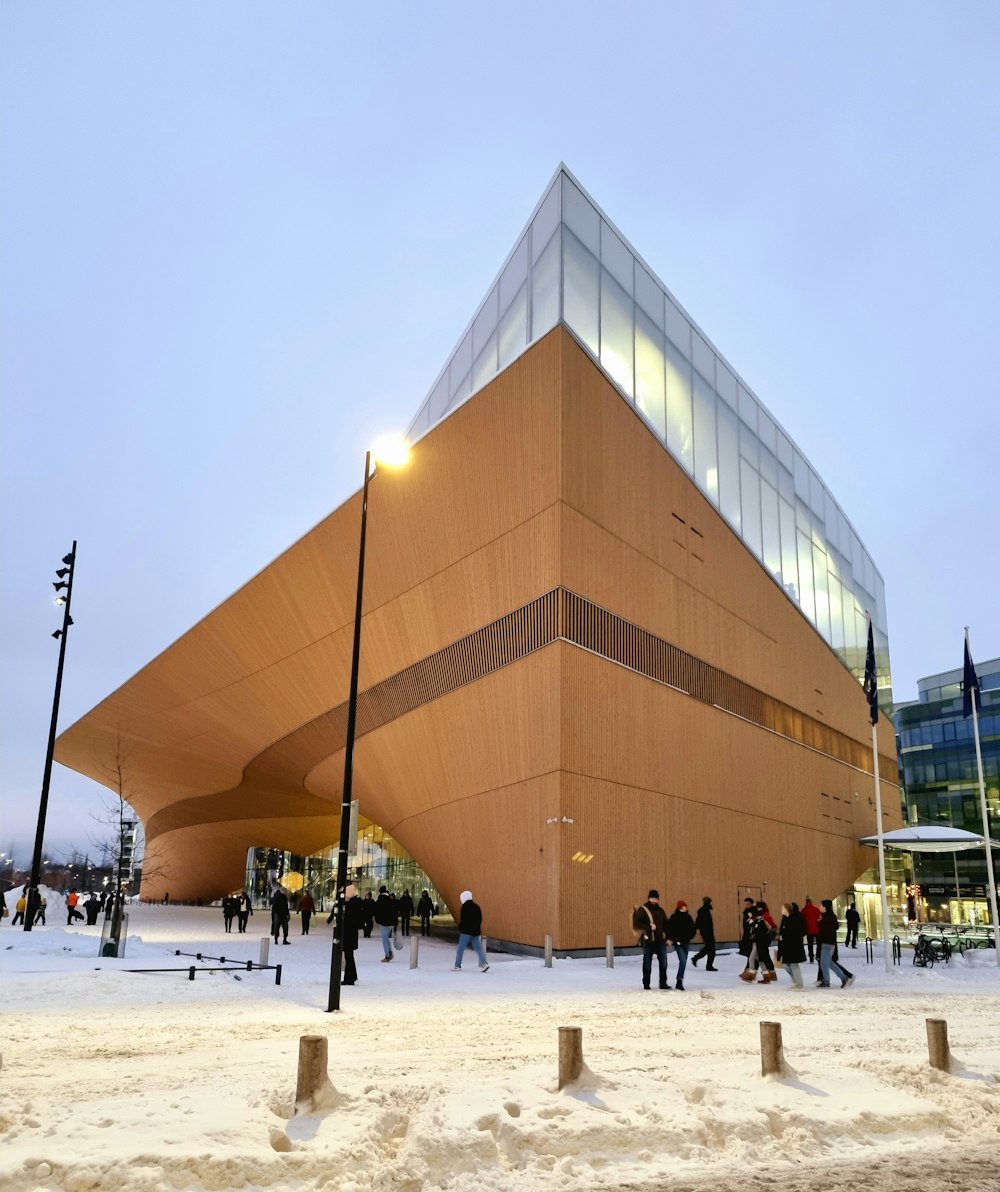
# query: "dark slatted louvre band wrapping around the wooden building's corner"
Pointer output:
{"type": "Point", "coordinates": [563, 616]}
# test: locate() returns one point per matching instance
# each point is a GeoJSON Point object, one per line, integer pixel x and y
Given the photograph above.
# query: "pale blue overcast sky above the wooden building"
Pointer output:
{"type": "Point", "coordinates": [239, 240]}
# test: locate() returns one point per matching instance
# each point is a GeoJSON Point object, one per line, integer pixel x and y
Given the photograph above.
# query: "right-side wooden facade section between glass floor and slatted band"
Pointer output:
{"type": "Point", "coordinates": [630, 545]}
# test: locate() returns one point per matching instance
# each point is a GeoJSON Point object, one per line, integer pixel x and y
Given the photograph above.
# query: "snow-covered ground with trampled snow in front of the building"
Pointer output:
{"type": "Point", "coordinates": [122, 1081]}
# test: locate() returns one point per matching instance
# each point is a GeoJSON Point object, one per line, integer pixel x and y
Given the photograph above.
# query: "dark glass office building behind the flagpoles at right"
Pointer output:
{"type": "Point", "coordinates": [937, 759]}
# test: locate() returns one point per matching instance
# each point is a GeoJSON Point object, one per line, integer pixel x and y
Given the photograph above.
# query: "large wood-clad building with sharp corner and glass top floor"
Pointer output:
{"type": "Point", "coordinates": [612, 637]}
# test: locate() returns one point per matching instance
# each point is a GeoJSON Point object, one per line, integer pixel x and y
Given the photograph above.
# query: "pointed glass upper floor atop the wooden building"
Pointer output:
{"type": "Point", "coordinates": [573, 266]}
